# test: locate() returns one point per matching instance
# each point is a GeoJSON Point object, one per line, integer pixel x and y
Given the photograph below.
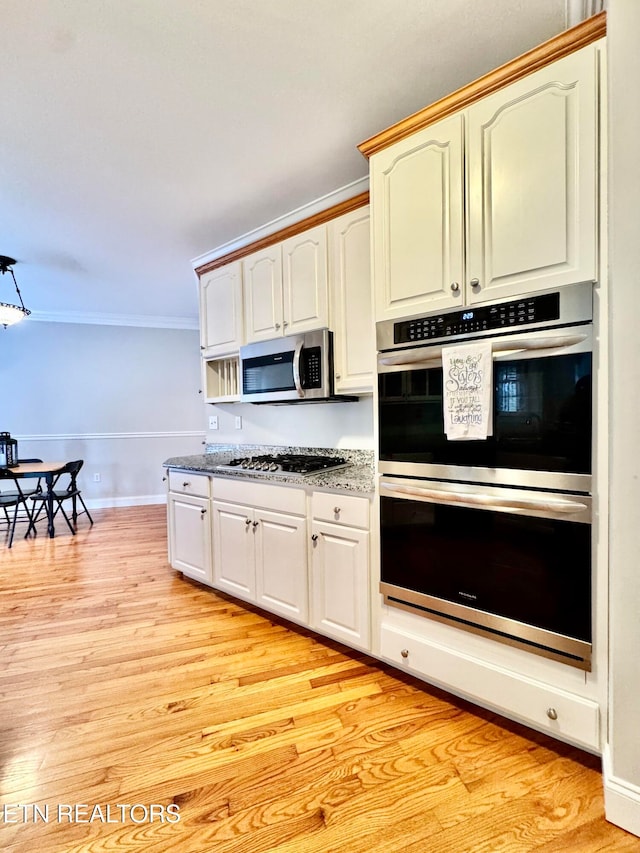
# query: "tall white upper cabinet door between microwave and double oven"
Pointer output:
{"type": "Point", "coordinates": [352, 301]}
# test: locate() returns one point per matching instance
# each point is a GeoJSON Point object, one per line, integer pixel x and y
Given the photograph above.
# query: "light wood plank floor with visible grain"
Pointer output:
{"type": "Point", "coordinates": [125, 685]}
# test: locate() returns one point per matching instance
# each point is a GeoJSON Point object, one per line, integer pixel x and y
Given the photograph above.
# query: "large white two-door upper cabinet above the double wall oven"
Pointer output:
{"type": "Point", "coordinates": [518, 216]}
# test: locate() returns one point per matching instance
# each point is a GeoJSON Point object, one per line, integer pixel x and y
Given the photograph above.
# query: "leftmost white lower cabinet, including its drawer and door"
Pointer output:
{"type": "Point", "coordinates": [188, 512]}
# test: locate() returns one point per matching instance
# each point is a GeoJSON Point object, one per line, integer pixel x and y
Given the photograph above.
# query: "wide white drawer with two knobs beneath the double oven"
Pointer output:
{"type": "Point", "coordinates": [547, 708]}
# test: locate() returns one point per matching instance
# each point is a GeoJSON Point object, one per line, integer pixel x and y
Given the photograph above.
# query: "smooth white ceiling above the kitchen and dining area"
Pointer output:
{"type": "Point", "coordinates": [140, 134]}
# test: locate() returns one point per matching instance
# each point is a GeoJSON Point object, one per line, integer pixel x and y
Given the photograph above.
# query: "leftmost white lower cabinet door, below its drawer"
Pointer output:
{"type": "Point", "coordinates": [190, 536]}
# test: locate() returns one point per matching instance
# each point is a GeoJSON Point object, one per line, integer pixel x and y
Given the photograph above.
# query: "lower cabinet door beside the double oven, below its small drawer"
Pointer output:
{"type": "Point", "coordinates": [340, 583]}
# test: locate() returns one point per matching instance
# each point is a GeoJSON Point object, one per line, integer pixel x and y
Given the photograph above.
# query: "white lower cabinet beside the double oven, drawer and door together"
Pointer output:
{"type": "Point", "coordinates": [340, 568]}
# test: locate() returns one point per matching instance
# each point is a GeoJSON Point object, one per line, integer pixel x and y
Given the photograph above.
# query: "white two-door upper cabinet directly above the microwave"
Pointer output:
{"type": "Point", "coordinates": [286, 288]}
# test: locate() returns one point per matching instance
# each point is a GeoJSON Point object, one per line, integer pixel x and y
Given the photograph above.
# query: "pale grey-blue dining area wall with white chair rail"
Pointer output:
{"type": "Point", "coordinates": [121, 398]}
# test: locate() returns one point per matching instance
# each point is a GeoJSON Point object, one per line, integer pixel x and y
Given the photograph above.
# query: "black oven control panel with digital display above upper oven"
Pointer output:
{"type": "Point", "coordinates": [534, 309]}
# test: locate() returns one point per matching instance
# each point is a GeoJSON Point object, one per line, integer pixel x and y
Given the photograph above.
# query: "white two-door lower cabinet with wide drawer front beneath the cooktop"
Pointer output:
{"type": "Point", "coordinates": [260, 545]}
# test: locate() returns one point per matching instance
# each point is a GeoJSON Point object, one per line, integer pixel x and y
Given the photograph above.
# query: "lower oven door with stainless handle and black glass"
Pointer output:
{"type": "Point", "coordinates": [511, 564]}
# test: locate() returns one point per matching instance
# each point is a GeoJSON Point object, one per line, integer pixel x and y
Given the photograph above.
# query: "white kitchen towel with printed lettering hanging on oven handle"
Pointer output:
{"type": "Point", "coordinates": [467, 380]}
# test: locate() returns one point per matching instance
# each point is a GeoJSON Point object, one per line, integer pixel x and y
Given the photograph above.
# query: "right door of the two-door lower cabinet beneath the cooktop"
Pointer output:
{"type": "Point", "coordinates": [281, 564]}
